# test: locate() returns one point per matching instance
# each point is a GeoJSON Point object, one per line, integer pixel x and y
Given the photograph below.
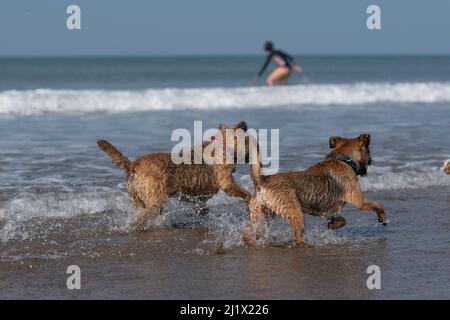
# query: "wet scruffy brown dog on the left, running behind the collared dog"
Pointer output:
{"type": "Point", "coordinates": [153, 178]}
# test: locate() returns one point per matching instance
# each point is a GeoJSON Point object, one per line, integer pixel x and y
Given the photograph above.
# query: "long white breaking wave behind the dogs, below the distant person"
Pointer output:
{"type": "Point", "coordinates": [31, 102]}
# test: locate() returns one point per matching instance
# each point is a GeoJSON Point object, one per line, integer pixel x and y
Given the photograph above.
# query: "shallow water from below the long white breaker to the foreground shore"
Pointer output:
{"type": "Point", "coordinates": [63, 203]}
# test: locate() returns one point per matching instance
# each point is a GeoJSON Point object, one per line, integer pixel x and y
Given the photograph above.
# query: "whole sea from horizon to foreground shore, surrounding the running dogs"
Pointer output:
{"type": "Point", "coordinates": [63, 203]}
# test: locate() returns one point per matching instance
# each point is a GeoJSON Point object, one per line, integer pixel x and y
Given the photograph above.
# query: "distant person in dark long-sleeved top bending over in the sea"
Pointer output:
{"type": "Point", "coordinates": [285, 65]}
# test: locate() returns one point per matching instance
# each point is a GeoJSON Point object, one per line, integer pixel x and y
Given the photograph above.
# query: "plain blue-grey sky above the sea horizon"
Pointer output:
{"type": "Point", "coordinates": [158, 27]}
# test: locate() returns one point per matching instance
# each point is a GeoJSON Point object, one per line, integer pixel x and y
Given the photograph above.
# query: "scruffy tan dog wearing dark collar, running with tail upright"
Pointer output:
{"type": "Point", "coordinates": [321, 190]}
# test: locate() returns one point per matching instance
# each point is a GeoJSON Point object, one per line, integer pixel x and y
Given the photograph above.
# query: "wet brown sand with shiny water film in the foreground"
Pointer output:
{"type": "Point", "coordinates": [169, 262]}
